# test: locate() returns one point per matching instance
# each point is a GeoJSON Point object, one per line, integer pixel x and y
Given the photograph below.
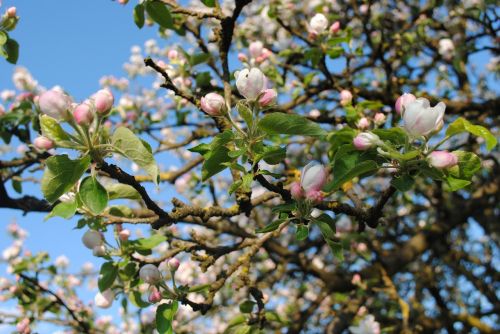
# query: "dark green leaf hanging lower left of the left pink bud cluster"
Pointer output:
{"type": "Point", "coordinates": [61, 174]}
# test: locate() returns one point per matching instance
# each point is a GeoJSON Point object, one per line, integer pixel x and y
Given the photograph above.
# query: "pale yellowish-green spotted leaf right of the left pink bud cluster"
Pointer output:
{"type": "Point", "coordinates": [129, 145]}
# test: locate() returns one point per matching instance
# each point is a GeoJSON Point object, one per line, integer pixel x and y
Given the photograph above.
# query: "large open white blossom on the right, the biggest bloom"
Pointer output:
{"type": "Point", "coordinates": [420, 119]}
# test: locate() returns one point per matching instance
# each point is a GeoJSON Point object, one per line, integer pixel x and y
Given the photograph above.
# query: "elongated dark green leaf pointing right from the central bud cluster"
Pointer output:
{"type": "Point", "coordinates": [289, 124]}
